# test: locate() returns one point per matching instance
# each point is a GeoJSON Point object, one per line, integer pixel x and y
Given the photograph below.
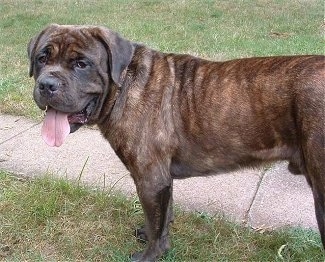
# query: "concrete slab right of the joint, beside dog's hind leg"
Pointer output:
{"type": "Point", "coordinates": [283, 199]}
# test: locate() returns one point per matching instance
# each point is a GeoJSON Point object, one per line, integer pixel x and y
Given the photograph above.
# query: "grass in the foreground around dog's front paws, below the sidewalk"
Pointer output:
{"type": "Point", "coordinates": [47, 219]}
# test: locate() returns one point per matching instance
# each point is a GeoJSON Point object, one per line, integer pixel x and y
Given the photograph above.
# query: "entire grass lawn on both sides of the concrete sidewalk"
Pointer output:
{"type": "Point", "coordinates": [55, 220]}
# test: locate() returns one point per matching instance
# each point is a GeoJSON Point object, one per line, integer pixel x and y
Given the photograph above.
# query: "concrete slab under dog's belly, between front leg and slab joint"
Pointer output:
{"type": "Point", "coordinates": [229, 194]}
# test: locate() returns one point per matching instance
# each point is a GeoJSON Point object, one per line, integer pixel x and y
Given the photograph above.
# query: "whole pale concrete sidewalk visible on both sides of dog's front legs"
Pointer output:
{"type": "Point", "coordinates": [258, 198]}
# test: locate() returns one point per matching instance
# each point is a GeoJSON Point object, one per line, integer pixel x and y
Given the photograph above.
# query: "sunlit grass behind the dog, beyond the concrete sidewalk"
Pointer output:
{"type": "Point", "coordinates": [211, 29]}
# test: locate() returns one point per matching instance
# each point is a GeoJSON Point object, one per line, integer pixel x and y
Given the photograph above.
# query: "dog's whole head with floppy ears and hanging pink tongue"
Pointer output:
{"type": "Point", "coordinates": [73, 67]}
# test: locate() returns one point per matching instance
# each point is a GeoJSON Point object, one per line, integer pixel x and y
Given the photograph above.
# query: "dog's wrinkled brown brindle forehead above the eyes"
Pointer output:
{"type": "Point", "coordinates": [69, 40]}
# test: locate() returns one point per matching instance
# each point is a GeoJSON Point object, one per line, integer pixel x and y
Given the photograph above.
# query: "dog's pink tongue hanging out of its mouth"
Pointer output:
{"type": "Point", "coordinates": [55, 127]}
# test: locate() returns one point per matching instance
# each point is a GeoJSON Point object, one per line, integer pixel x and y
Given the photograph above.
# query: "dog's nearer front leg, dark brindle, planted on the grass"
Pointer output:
{"type": "Point", "coordinates": [155, 193]}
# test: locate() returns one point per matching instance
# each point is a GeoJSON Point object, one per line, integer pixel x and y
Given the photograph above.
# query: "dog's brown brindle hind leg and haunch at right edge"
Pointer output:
{"type": "Point", "coordinates": [310, 122]}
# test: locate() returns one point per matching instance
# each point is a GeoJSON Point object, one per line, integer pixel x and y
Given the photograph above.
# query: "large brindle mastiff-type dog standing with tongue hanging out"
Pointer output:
{"type": "Point", "coordinates": [172, 116]}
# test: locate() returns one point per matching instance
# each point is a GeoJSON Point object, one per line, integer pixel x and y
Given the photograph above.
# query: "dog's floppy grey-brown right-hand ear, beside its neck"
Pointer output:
{"type": "Point", "coordinates": [120, 52]}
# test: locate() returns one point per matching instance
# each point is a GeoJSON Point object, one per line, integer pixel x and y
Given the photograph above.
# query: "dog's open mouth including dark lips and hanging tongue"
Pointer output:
{"type": "Point", "coordinates": [57, 125]}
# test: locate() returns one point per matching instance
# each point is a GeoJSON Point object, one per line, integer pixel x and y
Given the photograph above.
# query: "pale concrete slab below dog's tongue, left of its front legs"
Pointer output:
{"type": "Point", "coordinates": [28, 154]}
